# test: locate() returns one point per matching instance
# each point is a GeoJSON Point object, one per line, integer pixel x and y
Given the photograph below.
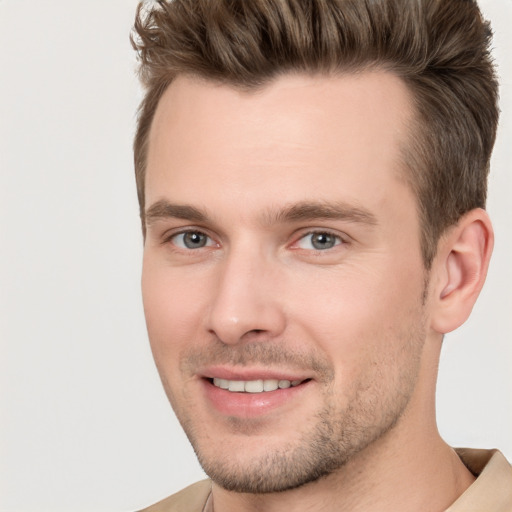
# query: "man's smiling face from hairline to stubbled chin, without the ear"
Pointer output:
{"type": "Point", "coordinates": [282, 262]}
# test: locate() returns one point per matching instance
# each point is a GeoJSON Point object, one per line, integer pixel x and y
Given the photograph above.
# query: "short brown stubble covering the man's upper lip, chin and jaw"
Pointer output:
{"type": "Point", "coordinates": [330, 438]}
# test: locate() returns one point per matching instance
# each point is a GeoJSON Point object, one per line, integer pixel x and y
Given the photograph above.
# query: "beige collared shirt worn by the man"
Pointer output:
{"type": "Point", "coordinates": [490, 492]}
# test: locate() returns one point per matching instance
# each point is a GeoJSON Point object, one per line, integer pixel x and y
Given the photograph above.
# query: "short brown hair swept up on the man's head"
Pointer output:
{"type": "Point", "coordinates": [440, 48]}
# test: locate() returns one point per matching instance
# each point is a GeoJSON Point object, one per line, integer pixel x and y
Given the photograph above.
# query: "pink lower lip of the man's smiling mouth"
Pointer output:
{"type": "Point", "coordinates": [251, 405]}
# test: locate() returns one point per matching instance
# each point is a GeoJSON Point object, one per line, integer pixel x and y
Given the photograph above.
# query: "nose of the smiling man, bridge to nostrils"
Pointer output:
{"type": "Point", "coordinates": [247, 302]}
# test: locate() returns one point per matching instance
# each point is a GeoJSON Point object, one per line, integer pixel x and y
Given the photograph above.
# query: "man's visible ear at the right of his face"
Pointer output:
{"type": "Point", "coordinates": [459, 270]}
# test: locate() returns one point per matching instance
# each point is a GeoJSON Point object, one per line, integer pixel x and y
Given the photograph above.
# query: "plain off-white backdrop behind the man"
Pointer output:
{"type": "Point", "coordinates": [84, 423]}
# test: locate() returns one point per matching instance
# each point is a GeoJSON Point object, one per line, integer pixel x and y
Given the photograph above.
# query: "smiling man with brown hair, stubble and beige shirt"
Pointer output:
{"type": "Point", "coordinates": [312, 183]}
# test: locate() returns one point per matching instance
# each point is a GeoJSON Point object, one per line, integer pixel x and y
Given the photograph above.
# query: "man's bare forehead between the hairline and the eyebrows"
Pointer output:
{"type": "Point", "coordinates": [309, 136]}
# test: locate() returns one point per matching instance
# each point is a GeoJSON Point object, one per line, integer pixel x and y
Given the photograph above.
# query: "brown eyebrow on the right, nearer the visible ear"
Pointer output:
{"type": "Point", "coordinates": [307, 211]}
